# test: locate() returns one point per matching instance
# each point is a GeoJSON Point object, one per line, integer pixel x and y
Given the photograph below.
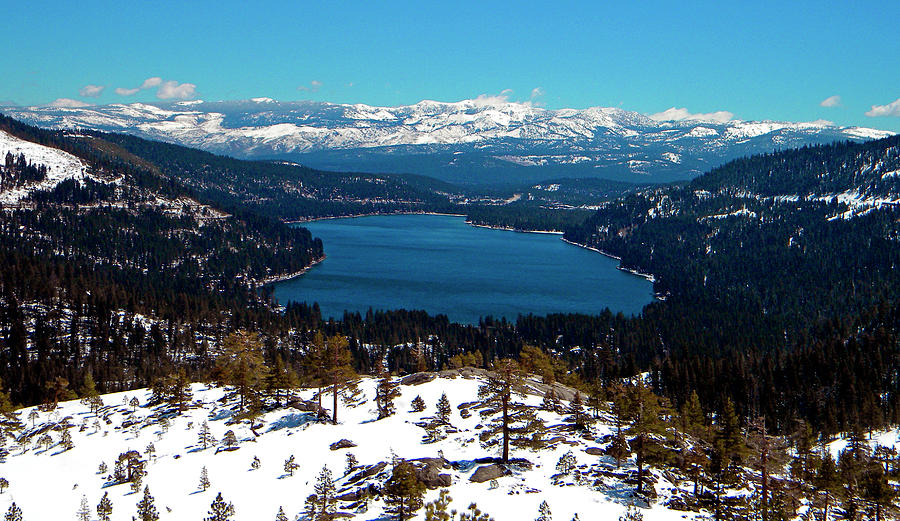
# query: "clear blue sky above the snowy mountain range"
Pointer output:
{"type": "Point", "coordinates": [755, 60]}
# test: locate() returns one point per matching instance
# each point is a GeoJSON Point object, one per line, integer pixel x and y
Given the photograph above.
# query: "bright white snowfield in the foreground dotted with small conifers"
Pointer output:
{"type": "Point", "coordinates": [48, 484]}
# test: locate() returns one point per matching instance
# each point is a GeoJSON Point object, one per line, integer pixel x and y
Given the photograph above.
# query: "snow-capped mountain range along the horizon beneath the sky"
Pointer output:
{"type": "Point", "coordinates": [481, 140]}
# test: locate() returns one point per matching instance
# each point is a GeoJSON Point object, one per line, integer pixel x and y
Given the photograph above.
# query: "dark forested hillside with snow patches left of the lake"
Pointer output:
{"type": "Point", "coordinates": [121, 271]}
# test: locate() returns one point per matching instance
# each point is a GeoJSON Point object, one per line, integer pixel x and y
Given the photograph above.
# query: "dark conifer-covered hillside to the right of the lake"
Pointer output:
{"type": "Point", "coordinates": [780, 282]}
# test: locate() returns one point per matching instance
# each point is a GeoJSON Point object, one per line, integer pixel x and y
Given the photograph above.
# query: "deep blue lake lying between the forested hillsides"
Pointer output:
{"type": "Point", "coordinates": [442, 265]}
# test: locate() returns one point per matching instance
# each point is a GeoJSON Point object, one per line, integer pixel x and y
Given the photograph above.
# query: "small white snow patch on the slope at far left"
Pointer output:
{"type": "Point", "coordinates": [61, 166]}
